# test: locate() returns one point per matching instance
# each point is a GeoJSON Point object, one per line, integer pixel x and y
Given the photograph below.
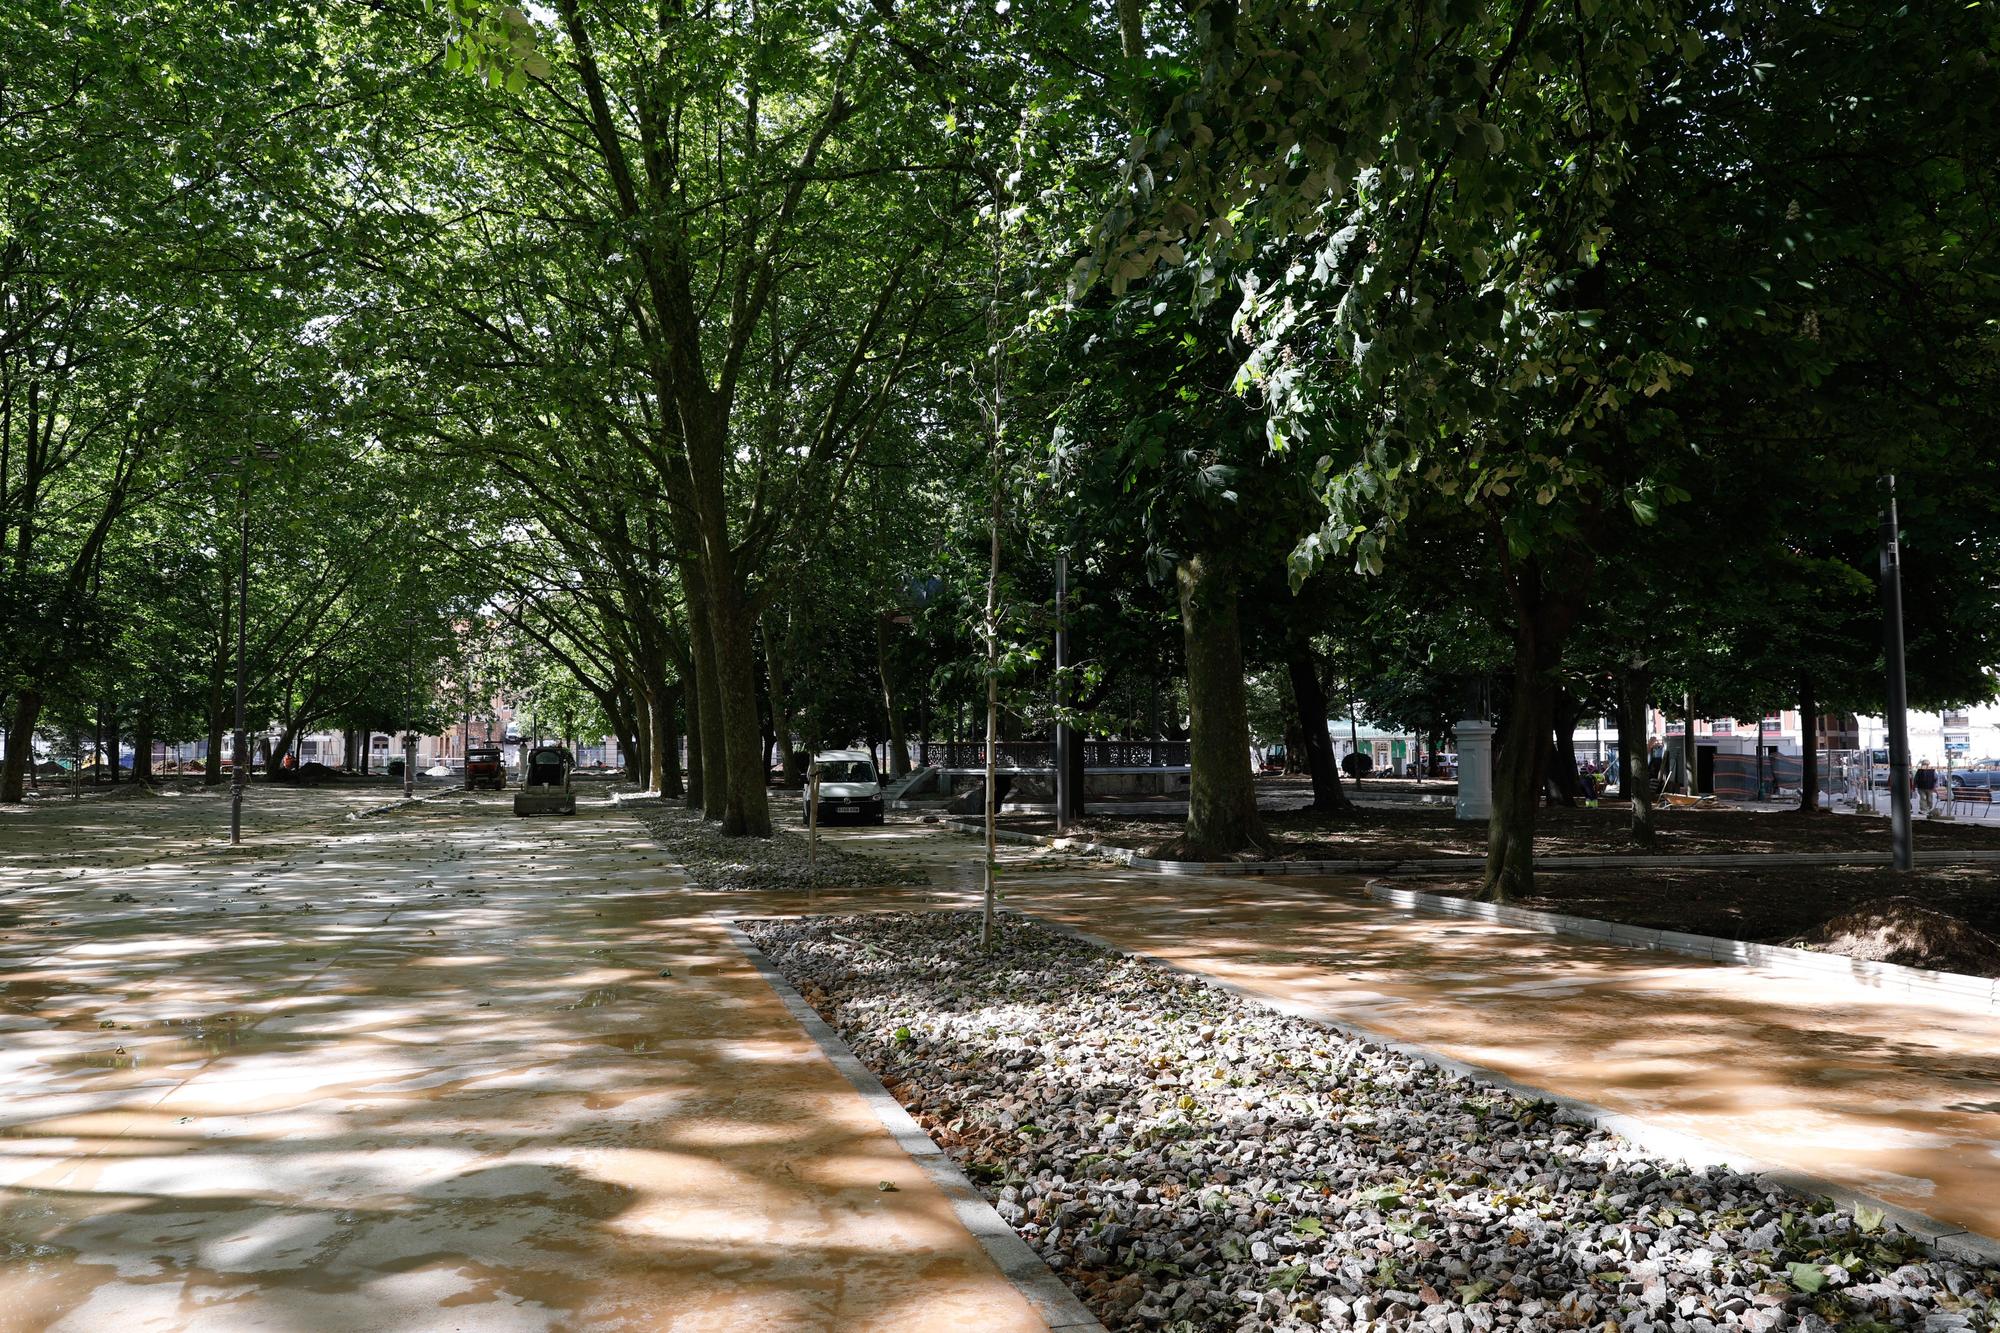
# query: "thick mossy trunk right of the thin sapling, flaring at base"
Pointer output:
{"type": "Point", "coordinates": [1221, 794]}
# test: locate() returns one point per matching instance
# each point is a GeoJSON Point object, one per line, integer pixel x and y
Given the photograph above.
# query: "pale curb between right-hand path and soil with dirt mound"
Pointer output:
{"type": "Point", "coordinates": [1893, 980]}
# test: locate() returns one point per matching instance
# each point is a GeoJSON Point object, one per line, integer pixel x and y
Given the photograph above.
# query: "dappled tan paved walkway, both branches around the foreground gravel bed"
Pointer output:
{"type": "Point", "coordinates": [427, 1072]}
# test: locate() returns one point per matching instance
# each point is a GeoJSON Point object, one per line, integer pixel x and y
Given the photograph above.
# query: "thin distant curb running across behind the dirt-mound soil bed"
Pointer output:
{"type": "Point", "coordinates": [1459, 866]}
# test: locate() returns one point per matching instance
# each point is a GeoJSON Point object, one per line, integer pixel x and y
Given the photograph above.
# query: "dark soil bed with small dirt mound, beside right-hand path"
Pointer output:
{"type": "Point", "coordinates": [1943, 918]}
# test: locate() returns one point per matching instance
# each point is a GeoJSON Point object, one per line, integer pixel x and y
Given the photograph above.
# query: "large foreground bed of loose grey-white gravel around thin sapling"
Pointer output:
{"type": "Point", "coordinates": [1187, 1160]}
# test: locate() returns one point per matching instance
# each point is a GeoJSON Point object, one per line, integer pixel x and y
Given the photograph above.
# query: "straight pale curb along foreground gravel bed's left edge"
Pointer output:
{"type": "Point", "coordinates": [1015, 1258]}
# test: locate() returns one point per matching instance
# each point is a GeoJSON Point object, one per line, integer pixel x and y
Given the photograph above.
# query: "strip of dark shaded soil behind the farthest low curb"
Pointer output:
{"type": "Point", "coordinates": [1399, 836]}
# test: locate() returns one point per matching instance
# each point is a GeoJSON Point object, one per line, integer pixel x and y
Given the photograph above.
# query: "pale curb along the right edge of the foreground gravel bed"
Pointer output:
{"type": "Point", "coordinates": [1945, 1240]}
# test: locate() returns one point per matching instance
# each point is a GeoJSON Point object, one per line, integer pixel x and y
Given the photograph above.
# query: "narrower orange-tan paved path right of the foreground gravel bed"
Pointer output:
{"type": "Point", "coordinates": [1895, 1100]}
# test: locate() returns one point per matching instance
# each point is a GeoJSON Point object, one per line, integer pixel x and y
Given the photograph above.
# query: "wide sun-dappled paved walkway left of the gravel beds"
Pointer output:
{"type": "Point", "coordinates": [433, 1072]}
